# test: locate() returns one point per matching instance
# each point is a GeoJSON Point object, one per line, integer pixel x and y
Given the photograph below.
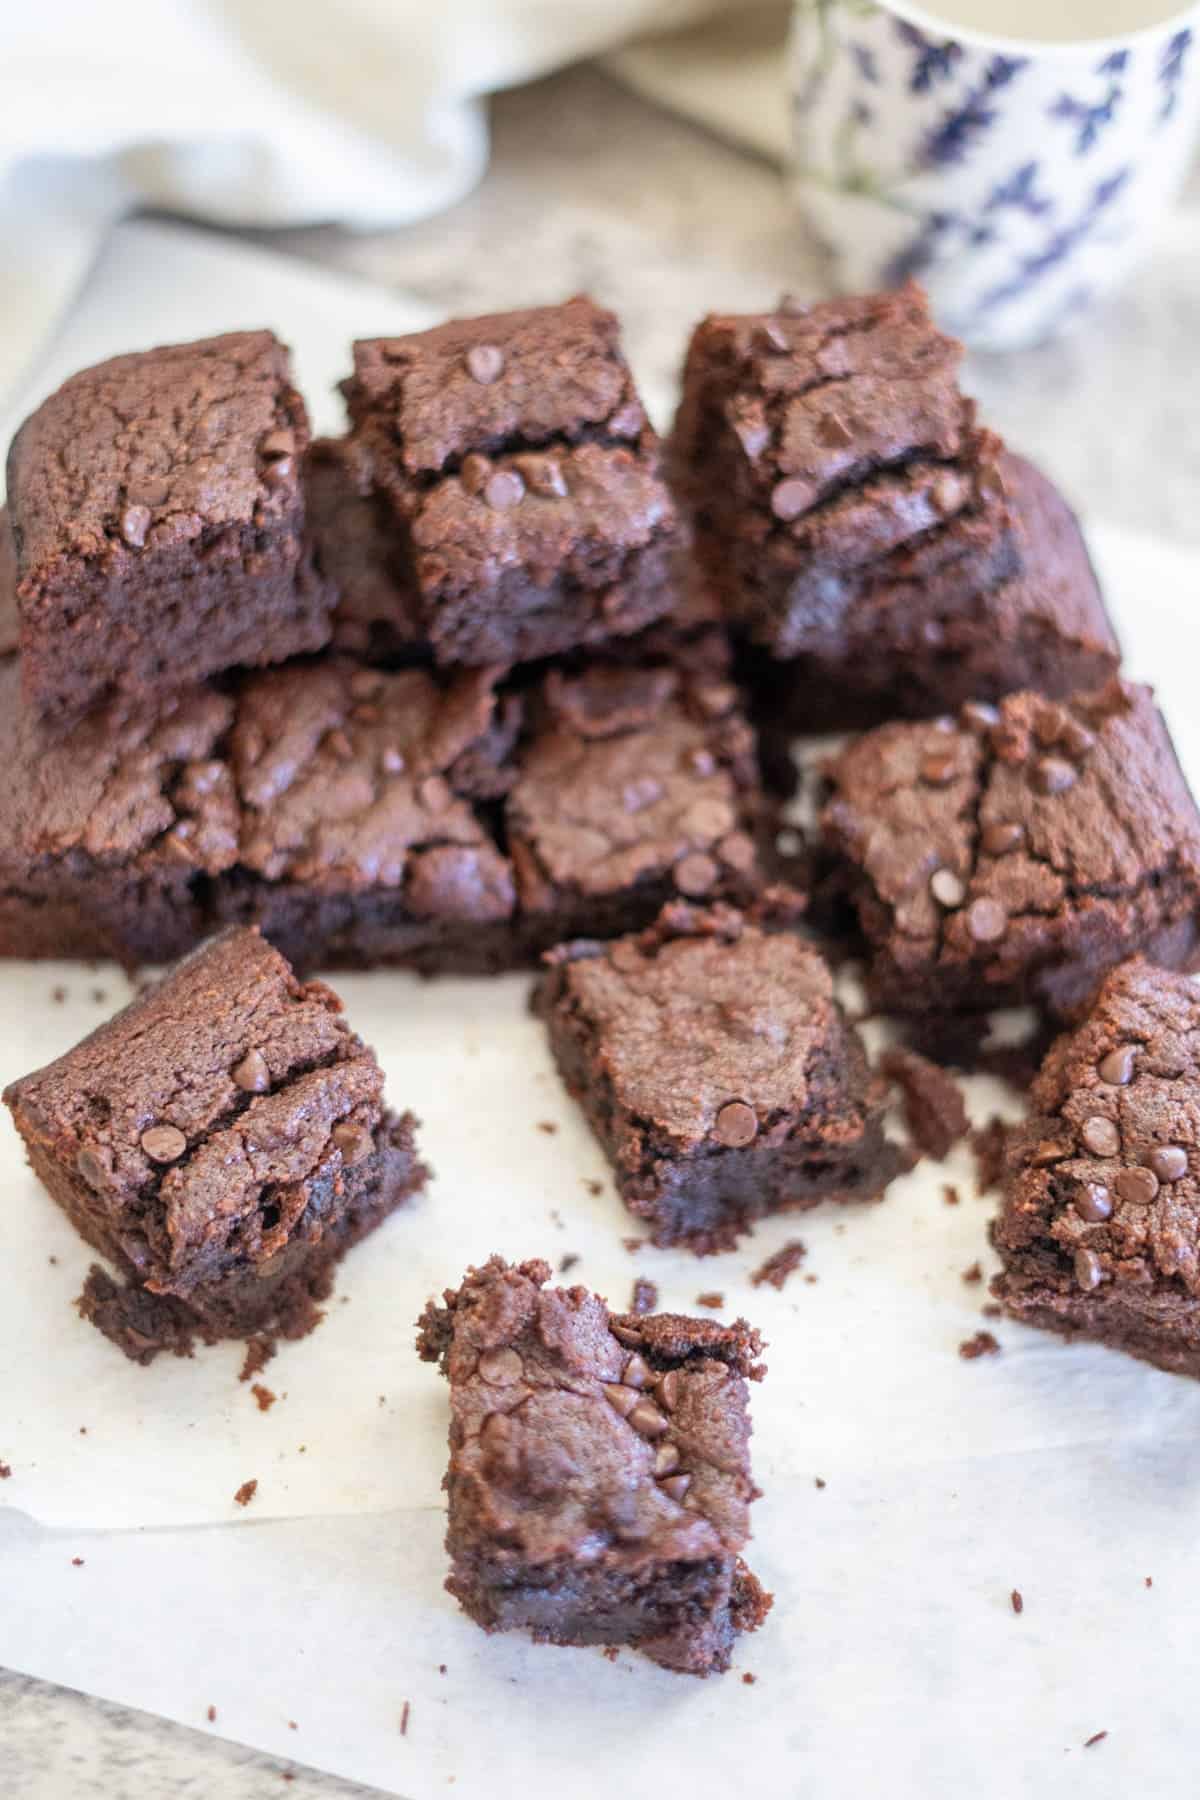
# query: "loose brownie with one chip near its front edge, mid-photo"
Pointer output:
{"type": "Point", "coordinates": [719, 1074]}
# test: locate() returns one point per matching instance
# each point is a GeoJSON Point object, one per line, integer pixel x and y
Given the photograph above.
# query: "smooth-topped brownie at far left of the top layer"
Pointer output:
{"type": "Point", "coordinates": [159, 525]}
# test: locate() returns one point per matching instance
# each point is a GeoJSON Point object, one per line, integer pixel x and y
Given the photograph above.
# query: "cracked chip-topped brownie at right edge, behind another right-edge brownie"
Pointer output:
{"type": "Point", "coordinates": [1019, 854]}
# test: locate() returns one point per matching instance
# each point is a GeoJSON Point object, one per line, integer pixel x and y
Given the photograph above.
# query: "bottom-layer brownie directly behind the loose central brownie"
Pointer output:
{"type": "Point", "coordinates": [638, 786]}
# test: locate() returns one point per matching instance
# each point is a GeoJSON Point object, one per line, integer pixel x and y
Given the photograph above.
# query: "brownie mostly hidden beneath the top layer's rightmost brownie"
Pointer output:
{"type": "Point", "coordinates": [922, 643]}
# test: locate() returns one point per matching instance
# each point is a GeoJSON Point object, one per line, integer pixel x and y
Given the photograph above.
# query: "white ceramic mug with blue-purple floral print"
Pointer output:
{"type": "Point", "coordinates": [1017, 177]}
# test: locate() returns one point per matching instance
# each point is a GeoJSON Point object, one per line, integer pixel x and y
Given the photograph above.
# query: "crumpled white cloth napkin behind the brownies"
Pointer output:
{"type": "Point", "coordinates": [251, 112]}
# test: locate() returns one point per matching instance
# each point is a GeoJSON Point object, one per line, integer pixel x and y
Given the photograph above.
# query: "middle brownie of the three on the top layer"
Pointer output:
{"type": "Point", "coordinates": [521, 483]}
